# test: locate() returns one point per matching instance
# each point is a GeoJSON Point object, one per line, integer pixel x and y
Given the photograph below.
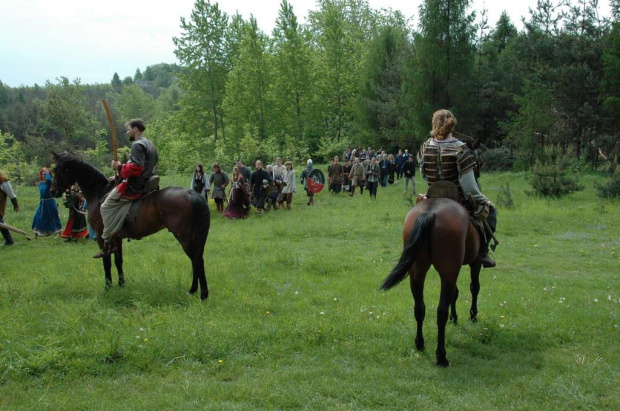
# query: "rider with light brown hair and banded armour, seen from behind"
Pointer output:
{"type": "Point", "coordinates": [444, 158]}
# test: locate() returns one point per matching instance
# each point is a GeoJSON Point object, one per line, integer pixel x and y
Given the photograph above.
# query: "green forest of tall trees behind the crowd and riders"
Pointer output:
{"type": "Point", "coordinates": [351, 76]}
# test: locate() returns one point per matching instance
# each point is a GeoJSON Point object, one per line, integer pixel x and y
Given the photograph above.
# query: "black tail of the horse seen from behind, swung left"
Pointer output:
{"type": "Point", "coordinates": [419, 233]}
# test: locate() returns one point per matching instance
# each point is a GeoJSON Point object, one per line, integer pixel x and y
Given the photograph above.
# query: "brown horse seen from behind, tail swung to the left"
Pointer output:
{"type": "Point", "coordinates": [438, 232]}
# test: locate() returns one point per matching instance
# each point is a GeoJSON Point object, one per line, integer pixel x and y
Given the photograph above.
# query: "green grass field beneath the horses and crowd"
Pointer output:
{"type": "Point", "coordinates": [295, 318]}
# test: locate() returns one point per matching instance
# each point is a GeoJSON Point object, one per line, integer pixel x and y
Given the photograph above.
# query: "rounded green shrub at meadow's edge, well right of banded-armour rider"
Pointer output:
{"type": "Point", "coordinates": [551, 176]}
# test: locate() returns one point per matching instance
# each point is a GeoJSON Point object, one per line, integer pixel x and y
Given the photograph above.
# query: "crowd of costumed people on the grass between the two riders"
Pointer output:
{"type": "Point", "coordinates": [273, 186]}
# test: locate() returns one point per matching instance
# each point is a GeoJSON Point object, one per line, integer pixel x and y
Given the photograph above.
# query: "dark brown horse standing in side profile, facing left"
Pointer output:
{"type": "Point", "coordinates": [182, 211]}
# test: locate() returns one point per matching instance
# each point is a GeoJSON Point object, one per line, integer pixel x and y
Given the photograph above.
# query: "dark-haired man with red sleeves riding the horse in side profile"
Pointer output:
{"type": "Point", "coordinates": [135, 174]}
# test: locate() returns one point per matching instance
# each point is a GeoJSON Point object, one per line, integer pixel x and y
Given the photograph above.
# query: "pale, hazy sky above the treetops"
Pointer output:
{"type": "Point", "coordinates": [42, 40]}
